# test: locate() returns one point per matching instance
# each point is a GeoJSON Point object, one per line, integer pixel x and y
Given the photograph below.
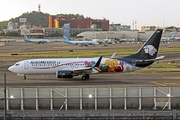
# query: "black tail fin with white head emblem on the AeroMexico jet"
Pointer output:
{"type": "Point", "coordinates": [150, 48]}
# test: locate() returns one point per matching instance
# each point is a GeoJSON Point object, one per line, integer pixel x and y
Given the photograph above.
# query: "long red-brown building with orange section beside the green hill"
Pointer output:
{"type": "Point", "coordinates": [87, 23]}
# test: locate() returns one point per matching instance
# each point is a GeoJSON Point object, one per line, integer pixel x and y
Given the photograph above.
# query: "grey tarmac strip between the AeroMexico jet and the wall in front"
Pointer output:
{"type": "Point", "coordinates": [111, 79]}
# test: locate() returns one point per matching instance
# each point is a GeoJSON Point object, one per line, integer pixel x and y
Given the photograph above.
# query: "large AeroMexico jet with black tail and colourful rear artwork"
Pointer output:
{"type": "Point", "coordinates": [70, 67]}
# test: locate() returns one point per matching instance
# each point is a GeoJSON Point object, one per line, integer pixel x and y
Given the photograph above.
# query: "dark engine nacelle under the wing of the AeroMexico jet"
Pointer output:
{"type": "Point", "coordinates": [64, 74]}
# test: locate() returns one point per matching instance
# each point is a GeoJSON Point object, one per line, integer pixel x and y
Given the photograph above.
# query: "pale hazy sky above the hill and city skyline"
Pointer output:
{"type": "Point", "coordinates": [161, 13]}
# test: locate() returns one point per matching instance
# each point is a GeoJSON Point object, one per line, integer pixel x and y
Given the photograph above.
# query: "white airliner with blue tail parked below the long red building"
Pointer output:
{"type": "Point", "coordinates": [82, 43]}
